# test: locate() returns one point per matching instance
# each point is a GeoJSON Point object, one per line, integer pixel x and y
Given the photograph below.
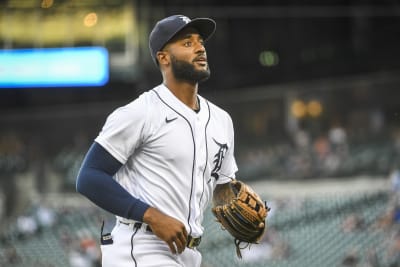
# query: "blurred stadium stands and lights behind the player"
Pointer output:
{"type": "Point", "coordinates": [313, 90]}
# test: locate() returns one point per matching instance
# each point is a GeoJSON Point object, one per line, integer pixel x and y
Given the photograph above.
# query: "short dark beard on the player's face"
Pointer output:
{"type": "Point", "coordinates": [185, 71]}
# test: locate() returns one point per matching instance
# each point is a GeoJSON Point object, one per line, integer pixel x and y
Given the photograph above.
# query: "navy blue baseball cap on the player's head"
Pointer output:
{"type": "Point", "coordinates": [168, 27]}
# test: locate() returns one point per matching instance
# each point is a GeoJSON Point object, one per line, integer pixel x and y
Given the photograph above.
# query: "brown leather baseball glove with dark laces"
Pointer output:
{"type": "Point", "coordinates": [244, 216]}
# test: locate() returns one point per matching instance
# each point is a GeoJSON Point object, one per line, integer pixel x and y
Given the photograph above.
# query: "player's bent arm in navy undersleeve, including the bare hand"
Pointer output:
{"type": "Point", "coordinates": [95, 181]}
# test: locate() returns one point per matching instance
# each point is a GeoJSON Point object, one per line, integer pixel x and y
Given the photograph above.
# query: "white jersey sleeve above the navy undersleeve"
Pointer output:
{"type": "Point", "coordinates": [122, 132]}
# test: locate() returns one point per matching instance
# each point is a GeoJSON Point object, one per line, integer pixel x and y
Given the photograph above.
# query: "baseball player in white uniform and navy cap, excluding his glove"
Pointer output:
{"type": "Point", "coordinates": [159, 161]}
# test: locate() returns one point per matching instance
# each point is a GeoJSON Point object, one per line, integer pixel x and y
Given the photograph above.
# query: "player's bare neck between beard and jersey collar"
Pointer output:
{"type": "Point", "coordinates": [185, 92]}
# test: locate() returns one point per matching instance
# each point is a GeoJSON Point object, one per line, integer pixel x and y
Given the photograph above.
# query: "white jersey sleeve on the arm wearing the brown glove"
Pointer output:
{"type": "Point", "coordinates": [229, 166]}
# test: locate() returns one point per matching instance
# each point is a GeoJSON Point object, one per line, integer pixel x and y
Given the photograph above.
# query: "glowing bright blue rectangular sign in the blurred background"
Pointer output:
{"type": "Point", "coordinates": [54, 67]}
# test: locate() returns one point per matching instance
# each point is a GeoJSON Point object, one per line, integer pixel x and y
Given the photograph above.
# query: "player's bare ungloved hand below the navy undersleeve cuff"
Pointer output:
{"type": "Point", "coordinates": [167, 228]}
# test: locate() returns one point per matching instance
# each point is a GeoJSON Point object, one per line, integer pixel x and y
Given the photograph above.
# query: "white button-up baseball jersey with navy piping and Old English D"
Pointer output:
{"type": "Point", "coordinates": [172, 156]}
